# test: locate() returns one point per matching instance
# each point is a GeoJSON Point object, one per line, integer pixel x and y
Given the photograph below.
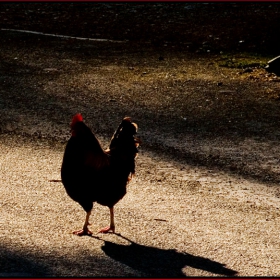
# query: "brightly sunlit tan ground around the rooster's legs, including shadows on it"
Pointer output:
{"type": "Point", "coordinates": [182, 221]}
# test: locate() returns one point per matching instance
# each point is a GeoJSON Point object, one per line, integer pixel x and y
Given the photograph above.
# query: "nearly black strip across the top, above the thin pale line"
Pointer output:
{"type": "Point", "coordinates": [198, 27]}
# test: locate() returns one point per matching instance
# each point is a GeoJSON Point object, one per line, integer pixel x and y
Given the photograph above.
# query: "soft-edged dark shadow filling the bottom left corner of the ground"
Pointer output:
{"type": "Point", "coordinates": [20, 262]}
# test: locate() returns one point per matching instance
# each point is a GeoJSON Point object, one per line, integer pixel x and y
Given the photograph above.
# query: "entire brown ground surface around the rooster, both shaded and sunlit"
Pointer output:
{"type": "Point", "coordinates": [205, 199]}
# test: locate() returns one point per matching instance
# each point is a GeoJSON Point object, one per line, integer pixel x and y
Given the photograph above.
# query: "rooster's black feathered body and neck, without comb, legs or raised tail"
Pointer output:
{"type": "Point", "coordinates": [89, 174]}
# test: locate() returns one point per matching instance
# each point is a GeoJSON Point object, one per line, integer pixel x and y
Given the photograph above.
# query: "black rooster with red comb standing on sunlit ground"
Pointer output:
{"type": "Point", "coordinates": [91, 174]}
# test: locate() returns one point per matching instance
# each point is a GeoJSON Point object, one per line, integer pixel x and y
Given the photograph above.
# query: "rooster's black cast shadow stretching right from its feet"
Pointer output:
{"type": "Point", "coordinates": [156, 262]}
